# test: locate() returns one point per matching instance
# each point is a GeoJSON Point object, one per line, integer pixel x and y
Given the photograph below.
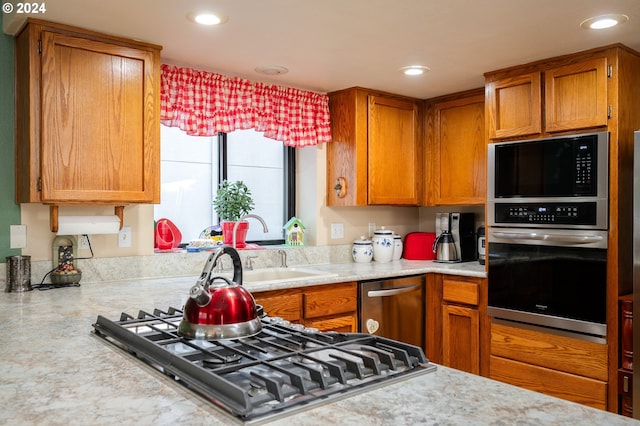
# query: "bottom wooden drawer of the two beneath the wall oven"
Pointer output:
{"type": "Point", "coordinates": [563, 385]}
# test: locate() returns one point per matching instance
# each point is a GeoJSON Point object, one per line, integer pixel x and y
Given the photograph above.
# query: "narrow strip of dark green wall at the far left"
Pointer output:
{"type": "Point", "coordinates": [9, 210]}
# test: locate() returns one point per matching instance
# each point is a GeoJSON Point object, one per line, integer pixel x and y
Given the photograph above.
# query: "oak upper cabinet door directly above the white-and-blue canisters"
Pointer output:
{"type": "Point", "coordinates": [393, 163]}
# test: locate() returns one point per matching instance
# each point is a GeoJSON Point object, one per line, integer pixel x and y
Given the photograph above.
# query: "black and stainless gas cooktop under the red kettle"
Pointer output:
{"type": "Point", "coordinates": [282, 370]}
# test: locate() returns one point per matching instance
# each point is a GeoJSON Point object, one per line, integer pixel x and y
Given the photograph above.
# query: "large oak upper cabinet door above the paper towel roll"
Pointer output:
{"type": "Point", "coordinates": [99, 130]}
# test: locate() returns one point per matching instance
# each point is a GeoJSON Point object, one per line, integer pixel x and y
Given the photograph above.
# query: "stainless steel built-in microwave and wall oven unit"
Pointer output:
{"type": "Point", "coordinates": [547, 242]}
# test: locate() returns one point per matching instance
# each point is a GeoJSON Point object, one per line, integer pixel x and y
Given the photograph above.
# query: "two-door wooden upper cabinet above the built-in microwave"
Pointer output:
{"type": "Point", "coordinates": [572, 96]}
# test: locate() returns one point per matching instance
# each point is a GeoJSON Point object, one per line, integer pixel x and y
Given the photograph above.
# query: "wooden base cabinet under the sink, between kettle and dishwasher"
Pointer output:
{"type": "Point", "coordinates": [326, 307]}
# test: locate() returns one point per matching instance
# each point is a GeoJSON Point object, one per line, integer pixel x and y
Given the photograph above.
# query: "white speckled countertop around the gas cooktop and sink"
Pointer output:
{"type": "Point", "coordinates": [54, 371]}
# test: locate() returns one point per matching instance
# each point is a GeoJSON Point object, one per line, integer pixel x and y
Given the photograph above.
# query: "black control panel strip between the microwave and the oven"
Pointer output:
{"type": "Point", "coordinates": [546, 213]}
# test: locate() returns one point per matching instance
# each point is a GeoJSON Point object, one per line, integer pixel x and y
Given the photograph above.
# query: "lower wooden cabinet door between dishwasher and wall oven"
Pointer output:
{"type": "Point", "coordinates": [461, 338]}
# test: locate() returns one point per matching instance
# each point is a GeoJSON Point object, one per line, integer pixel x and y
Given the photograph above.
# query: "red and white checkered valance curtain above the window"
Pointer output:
{"type": "Point", "coordinates": [203, 103]}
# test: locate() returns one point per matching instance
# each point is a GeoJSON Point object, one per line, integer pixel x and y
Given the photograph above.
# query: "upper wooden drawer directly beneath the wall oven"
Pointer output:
{"type": "Point", "coordinates": [574, 356]}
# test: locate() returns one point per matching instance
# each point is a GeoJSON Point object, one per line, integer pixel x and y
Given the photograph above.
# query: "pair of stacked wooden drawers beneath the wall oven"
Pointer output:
{"type": "Point", "coordinates": [557, 365]}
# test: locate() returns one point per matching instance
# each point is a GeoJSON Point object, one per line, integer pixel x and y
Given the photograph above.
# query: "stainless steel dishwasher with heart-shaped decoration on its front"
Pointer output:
{"type": "Point", "coordinates": [393, 308]}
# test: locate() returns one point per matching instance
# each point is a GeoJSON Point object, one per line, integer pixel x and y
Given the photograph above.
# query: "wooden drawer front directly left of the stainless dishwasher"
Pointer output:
{"type": "Point", "coordinates": [333, 301]}
